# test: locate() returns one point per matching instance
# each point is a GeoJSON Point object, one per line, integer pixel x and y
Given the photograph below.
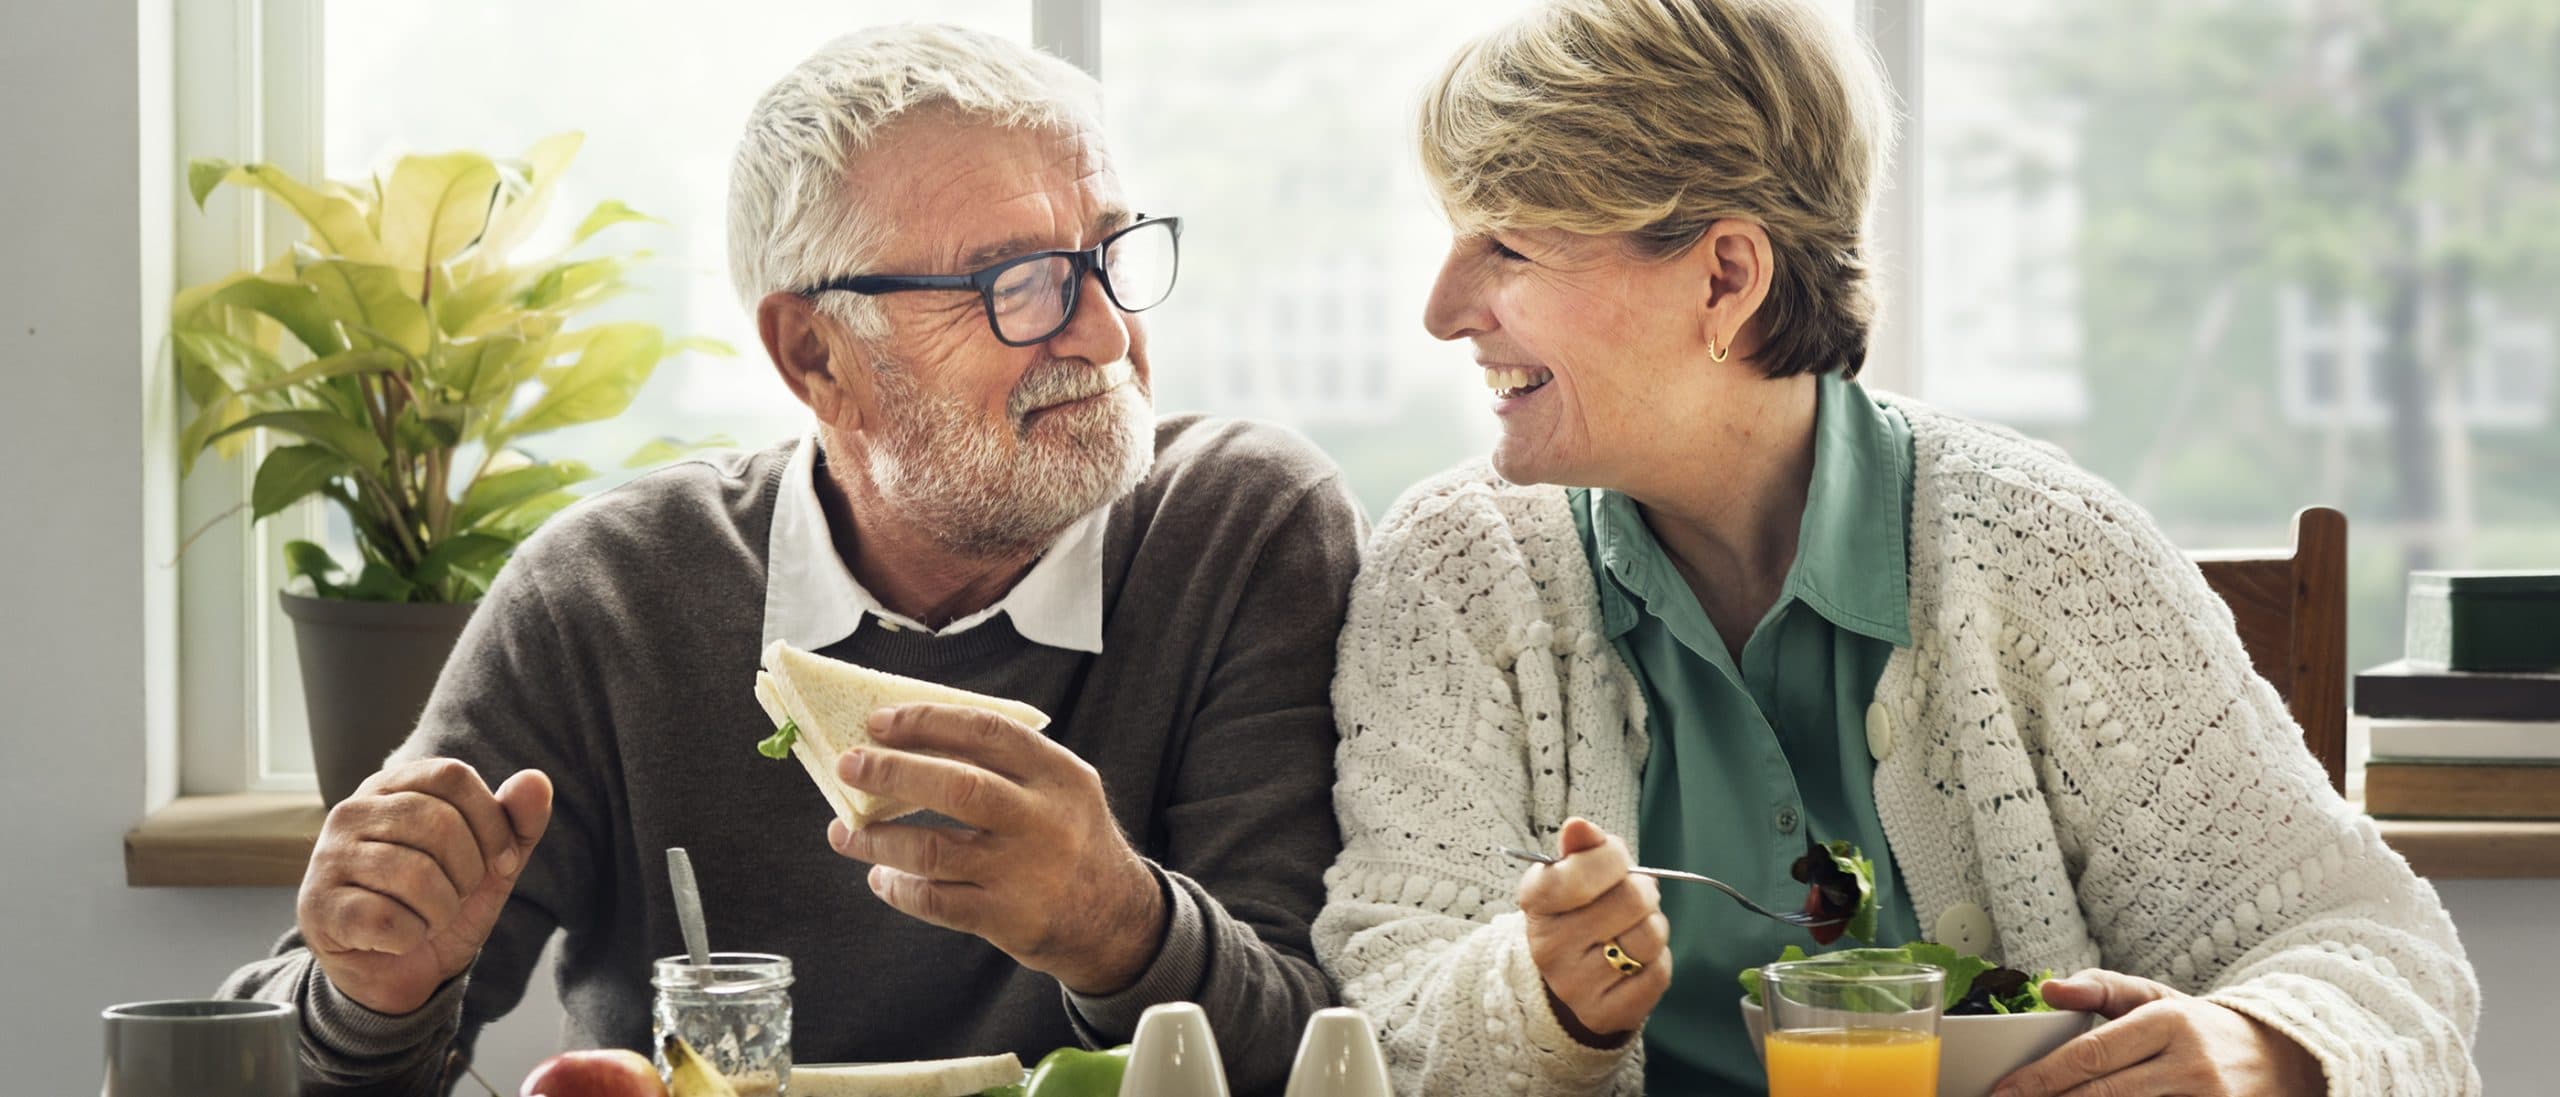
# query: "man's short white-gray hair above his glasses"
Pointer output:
{"type": "Point", "coordinates": [797, 219]}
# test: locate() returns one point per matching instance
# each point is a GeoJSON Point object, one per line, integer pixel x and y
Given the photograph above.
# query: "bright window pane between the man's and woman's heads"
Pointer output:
{"type": "Point", "coordinates": [1284, 139]}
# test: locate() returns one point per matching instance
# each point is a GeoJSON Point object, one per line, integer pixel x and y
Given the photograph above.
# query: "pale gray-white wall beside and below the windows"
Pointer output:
{"type": "Point", "coordinates": [76, 612]}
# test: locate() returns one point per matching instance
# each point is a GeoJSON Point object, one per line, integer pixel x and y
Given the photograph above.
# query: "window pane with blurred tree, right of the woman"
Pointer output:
{"type": "Point", "coordinates": [2249, 257]}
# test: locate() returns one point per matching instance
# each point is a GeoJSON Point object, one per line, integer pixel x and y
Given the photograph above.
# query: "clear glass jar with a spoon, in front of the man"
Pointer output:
{"type": "Point", "coordinates": [736, 1011]}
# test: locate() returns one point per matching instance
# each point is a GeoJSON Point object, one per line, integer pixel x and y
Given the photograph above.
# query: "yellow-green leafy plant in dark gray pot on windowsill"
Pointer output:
{"type": "Point", "coordinates": [403, 354]}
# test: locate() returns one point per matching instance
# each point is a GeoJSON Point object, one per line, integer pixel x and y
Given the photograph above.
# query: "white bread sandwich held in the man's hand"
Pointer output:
{"type": "Point", "coordinates": [833, 702]}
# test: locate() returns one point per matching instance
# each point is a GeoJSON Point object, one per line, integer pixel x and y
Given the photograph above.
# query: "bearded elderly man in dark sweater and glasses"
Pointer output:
{"type": "Point", "coordinates": [943, 267]}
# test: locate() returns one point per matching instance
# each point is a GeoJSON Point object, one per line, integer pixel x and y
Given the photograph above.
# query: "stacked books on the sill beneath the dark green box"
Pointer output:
{"type": "Point", "coordinates": [2461, 743]}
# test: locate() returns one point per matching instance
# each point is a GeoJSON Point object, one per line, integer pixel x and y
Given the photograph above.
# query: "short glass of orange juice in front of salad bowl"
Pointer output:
{"type": "Point", "coordinates": [1852, 1029]}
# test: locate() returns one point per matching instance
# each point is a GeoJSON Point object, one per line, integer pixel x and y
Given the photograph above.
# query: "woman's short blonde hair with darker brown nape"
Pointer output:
{"type": "Point", "coordinates": [1660, 119]}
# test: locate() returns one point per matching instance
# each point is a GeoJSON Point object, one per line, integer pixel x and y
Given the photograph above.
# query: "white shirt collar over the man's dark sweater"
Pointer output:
{"type": "Point", "coordinates": [813, 600]}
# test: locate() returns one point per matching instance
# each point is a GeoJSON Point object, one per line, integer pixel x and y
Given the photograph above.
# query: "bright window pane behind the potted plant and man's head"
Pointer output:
{"type": "Point", "coordinates": [662, 96]}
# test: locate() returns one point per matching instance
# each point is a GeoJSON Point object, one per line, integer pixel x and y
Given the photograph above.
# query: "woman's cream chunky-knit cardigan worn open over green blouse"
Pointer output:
{"type": "Point", "coordinates": [2077, 771]}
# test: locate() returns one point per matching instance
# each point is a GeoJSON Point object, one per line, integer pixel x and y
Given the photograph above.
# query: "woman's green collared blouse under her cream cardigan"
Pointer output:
{"type": "Point", "coordinates": [1755, 756]}
